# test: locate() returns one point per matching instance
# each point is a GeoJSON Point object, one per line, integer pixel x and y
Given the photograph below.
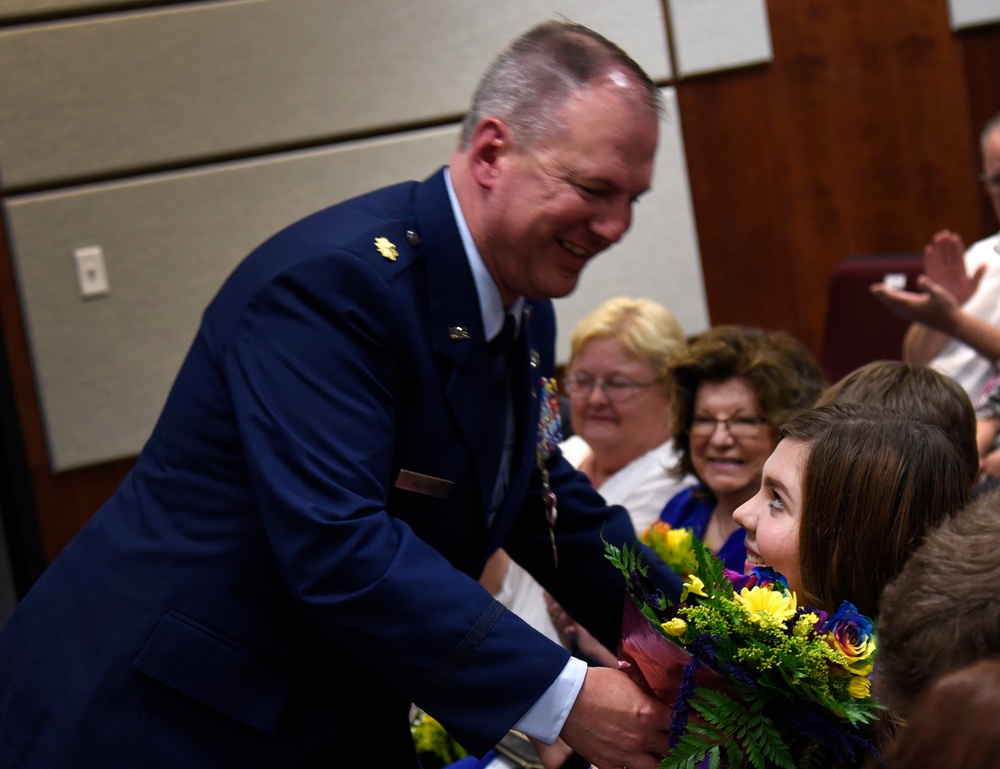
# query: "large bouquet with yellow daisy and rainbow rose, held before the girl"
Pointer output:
{"type": "Point", "coordinates": [754, 679]}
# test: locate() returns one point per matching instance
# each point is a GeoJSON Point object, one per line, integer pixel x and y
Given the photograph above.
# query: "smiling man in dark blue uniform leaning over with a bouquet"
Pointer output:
{"type": "Point", "coordinates": [364, 416]}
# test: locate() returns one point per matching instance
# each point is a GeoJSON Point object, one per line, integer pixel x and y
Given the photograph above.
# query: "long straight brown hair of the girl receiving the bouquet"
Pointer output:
{"type": "Point", "coordinates": [875, 482]}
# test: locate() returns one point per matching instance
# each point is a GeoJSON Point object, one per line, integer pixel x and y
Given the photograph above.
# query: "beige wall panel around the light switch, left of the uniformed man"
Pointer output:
{"type": "Point", "coordinates": [103, 365]}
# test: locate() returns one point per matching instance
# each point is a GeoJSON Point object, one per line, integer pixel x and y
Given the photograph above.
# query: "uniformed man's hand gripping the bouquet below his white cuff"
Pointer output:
{"type": "Point", "coordinates": [615, 724]}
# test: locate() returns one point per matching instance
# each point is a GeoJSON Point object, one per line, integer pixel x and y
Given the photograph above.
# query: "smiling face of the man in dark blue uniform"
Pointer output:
{"type": "Point", "coordinates": [554, 206]}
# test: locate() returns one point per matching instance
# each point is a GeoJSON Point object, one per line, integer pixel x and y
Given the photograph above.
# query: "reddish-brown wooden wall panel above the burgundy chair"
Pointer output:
{"type": "Point", "coordinates": [853, 140]}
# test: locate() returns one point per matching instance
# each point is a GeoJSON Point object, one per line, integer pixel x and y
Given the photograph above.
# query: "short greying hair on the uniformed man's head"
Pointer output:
{"type": "Point", "coordinates": [528, 82]}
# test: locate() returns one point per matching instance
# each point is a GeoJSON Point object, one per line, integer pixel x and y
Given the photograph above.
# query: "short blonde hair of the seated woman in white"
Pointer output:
{"type": "Point", "coordinates": [646, 329]}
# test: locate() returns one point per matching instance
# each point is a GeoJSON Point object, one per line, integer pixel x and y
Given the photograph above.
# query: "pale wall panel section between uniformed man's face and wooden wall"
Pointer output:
{"type": "Point", "coordinates": [659, 257]}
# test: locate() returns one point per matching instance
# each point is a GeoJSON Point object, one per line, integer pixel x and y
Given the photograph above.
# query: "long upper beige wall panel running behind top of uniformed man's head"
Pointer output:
{"type": "Point", "coordinates": [112, 94]}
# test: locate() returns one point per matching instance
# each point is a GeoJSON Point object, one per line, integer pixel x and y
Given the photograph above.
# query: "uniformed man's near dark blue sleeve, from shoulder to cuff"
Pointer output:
{"type": "Point", "coordinates": [313, 370]}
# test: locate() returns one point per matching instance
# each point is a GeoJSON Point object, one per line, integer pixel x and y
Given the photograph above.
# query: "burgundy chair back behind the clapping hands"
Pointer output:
{"type": "Point", "coordinates": [859, 328]}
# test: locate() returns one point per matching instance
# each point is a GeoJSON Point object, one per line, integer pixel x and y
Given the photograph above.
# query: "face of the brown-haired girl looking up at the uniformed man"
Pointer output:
{"type": "Point", "coordinates": [772, 517]}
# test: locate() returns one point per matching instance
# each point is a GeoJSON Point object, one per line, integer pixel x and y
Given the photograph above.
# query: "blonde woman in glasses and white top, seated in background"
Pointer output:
{"type": "Point", "coordinates": [620, 404]}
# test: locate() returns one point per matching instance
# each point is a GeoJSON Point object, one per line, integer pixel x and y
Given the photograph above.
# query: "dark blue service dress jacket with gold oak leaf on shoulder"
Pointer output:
{"type": "Point", "coordinates": [293, 559]}
